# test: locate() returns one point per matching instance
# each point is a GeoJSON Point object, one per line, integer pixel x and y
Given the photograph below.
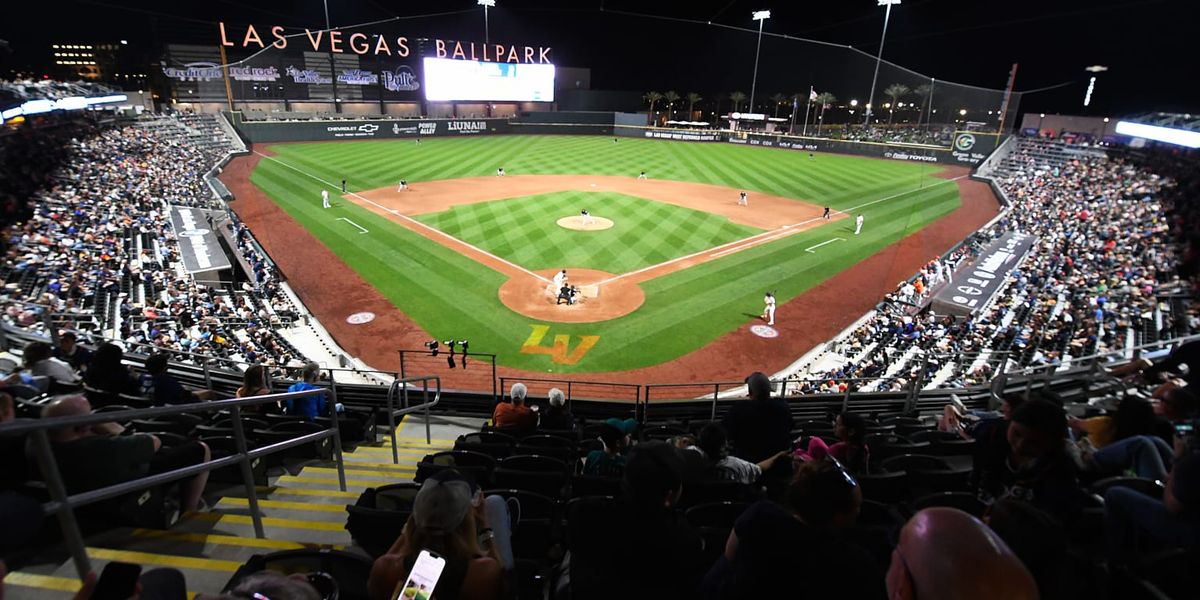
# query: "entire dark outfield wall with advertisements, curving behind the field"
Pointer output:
{"type": "Point", "coordinates": [968, 149]}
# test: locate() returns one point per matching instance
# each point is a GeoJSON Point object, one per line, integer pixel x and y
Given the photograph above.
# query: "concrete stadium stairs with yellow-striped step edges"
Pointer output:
{"type": "Point", "coordinates": [303, 508]}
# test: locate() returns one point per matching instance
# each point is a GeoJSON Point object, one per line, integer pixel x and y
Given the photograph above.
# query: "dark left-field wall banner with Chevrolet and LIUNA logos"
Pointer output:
{"type": "Point", "coordinates": [368, 129]}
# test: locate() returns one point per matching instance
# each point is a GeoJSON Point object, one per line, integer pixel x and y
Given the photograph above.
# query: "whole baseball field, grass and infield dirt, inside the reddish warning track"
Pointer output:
{"type": "Point", "coordinates": [465, 254]}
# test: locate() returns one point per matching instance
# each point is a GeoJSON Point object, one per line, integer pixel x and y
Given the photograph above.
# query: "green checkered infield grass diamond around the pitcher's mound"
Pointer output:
{"type": "Point", "coordinates": [525, 231]}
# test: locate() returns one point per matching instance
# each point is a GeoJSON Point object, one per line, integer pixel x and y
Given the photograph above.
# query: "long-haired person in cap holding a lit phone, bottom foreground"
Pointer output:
{"type": "Point", "coordinates": [453, 520]}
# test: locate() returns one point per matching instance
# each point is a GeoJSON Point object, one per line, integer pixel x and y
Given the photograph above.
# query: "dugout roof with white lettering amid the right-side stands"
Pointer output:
{"type": "Point", "coordinates": [974, 286]}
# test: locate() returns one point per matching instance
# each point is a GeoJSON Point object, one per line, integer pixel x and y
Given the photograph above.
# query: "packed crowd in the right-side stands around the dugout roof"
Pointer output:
{"type": "Point", "coordinates": [1114, 243]}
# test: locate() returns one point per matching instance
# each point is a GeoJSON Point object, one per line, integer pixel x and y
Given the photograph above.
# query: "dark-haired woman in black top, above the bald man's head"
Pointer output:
{"type": "Point", "coordinates": [1039, 469]}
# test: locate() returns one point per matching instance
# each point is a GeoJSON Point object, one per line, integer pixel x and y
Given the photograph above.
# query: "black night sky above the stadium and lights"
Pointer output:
{"type": "Point", "coordinates": [1149, 45]}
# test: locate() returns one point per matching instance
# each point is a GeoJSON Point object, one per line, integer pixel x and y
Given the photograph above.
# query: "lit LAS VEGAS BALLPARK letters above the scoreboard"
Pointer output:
{"type": "Point", "coordinates": [371, 44]}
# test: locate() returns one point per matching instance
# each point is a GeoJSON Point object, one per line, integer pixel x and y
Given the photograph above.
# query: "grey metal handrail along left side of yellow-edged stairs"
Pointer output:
{"type": "Point", "coordinates": [64, 506]}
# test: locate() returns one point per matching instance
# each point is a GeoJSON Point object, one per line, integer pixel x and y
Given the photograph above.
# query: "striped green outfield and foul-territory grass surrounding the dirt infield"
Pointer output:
{"type": "Point", "coordinates": [683, 311]}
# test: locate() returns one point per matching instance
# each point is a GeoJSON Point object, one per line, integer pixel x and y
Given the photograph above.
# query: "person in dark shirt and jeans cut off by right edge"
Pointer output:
{"type": "Point", "coordinates": [1132, 518]}
